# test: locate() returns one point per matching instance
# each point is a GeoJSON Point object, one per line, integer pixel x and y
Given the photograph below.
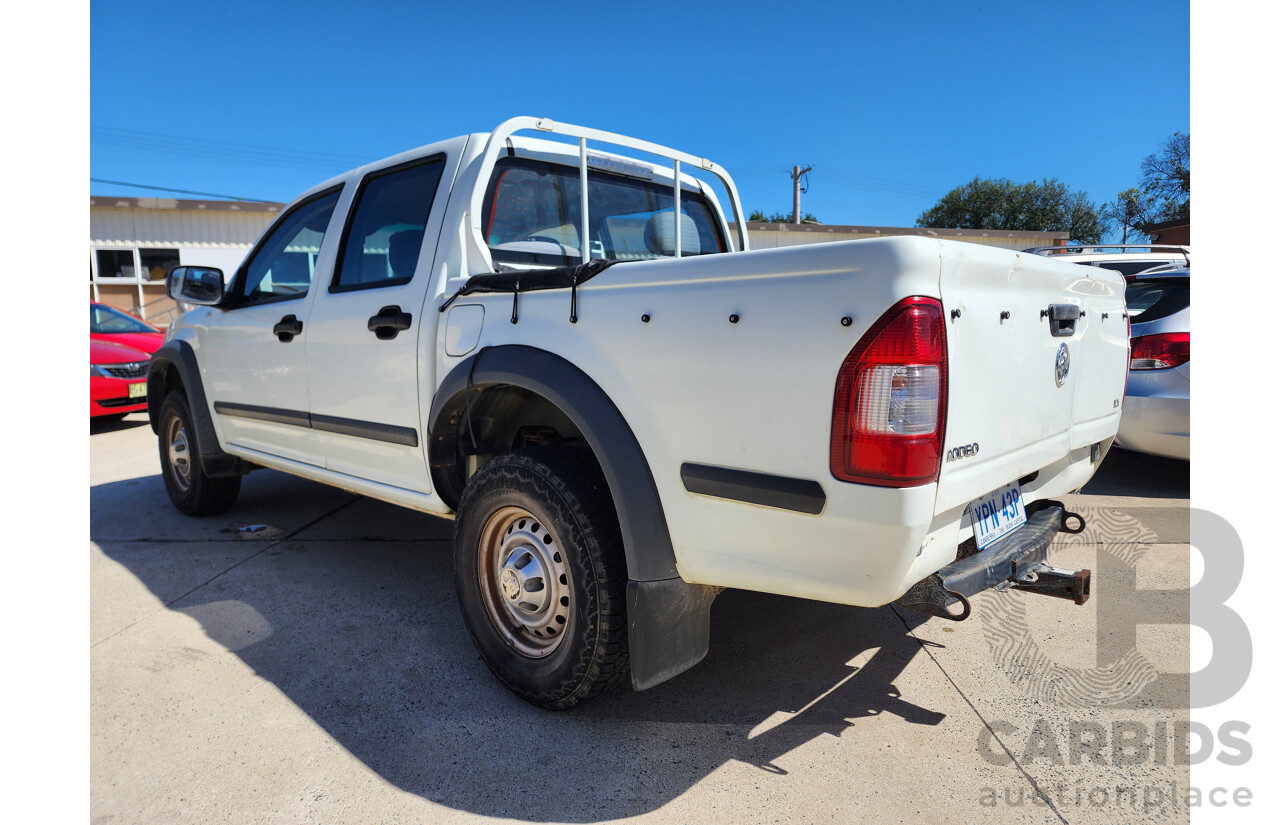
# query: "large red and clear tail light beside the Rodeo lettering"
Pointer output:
{"type": "Point", "coordinates": [890, 410]}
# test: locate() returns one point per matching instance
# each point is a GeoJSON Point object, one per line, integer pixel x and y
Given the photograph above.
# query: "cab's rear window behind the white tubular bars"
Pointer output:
{"type": "Point", "coordinates": [533, 214]}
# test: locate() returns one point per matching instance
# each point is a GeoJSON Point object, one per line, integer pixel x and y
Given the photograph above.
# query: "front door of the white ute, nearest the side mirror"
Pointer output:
{"type": "Point", "coordinates": [253, 354]}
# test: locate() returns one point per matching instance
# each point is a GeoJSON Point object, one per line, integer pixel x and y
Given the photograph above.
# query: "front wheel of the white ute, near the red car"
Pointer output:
{"type": "Point", "coordinates": [190, 489]}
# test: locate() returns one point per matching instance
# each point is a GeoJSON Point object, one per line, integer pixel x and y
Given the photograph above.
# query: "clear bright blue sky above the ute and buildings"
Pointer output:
{"type": "Point", "coordinates": [892, 104]}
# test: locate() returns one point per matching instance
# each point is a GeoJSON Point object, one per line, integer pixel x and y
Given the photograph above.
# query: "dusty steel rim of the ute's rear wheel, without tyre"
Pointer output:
{"type": "Point", "coordinates": [525, 584]}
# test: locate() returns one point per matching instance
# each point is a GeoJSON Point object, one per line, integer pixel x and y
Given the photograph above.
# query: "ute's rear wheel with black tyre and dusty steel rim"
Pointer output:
{"type": "Point", "coordinates": [542, 576]}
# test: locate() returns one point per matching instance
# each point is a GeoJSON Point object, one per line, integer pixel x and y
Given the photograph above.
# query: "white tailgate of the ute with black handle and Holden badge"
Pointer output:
{"type": "Point", "coordinates": [1008, 412]}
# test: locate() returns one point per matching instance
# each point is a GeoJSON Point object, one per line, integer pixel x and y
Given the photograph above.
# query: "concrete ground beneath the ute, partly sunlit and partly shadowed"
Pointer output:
{"type": "Point", "coordinates": [301, 659]}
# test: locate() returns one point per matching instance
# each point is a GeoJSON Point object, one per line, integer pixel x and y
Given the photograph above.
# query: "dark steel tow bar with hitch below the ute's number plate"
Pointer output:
{"type": "Point", "coordinates": [1017, 561]}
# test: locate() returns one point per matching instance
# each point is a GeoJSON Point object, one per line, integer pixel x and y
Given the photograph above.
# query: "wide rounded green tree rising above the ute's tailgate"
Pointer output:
{"type": "Point", "coordinates": [1002, 204]}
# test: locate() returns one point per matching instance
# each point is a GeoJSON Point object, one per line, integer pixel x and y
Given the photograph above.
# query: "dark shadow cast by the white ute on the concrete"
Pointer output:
{"type": "Point", "coordinates": [365, 638]}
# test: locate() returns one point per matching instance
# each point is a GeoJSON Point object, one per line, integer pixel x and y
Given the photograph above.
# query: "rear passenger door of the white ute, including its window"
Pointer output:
{"type": "Point", "coordinates": [369, 336]}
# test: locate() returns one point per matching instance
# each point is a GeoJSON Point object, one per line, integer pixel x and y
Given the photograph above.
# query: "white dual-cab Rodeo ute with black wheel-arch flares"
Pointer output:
{"type": "Point", "coordinates": [628, 412]}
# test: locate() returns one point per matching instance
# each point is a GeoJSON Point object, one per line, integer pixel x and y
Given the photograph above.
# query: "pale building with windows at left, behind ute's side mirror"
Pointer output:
{"type": "Point", "coordinates": [135, 242]}
